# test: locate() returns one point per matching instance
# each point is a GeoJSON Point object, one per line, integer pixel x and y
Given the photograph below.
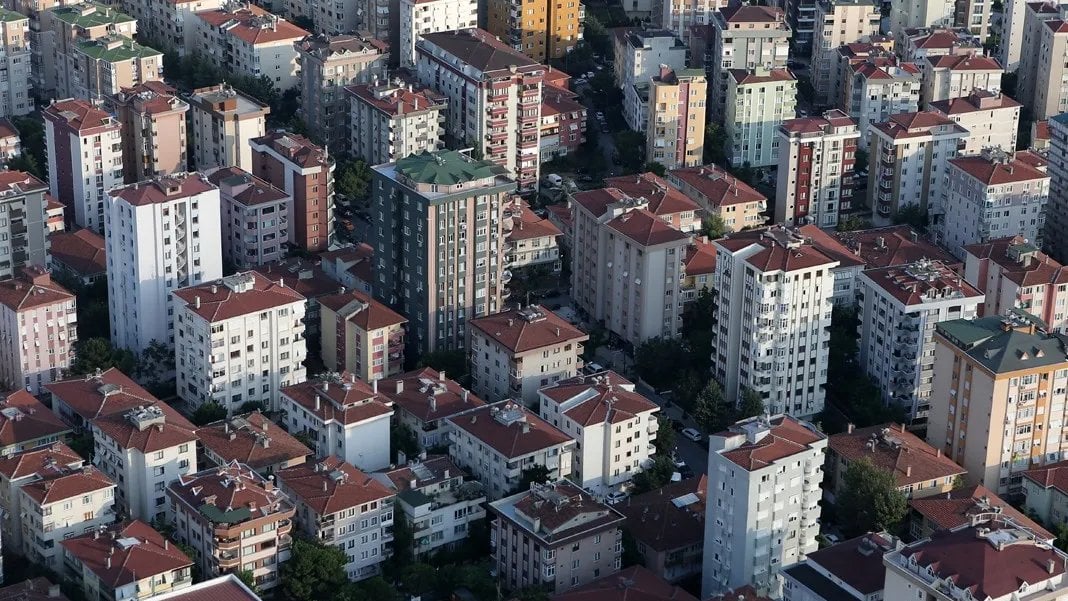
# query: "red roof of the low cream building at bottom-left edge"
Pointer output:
{"type": "Point", "coordinates": [127, 553]}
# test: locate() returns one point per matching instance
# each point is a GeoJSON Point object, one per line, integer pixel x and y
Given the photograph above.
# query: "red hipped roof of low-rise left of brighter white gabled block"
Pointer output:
{"type": "Point", "coordinates": [510, 430]}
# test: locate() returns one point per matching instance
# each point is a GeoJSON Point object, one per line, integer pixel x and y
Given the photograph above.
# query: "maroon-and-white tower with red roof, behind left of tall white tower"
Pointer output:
{"type": "Point", "coordinates": [85, 160]}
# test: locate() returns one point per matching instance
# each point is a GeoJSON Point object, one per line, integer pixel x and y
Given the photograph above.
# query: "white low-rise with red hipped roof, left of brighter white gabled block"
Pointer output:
{"type": "Point", "coordinates": [499, 441]}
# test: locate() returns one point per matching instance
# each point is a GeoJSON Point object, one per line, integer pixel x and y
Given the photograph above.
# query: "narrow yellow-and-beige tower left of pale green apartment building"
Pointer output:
{"type": "Point", "coordinates": [674, 134]}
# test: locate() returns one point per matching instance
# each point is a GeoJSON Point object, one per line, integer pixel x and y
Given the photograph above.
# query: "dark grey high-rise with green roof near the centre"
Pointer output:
{"type": "Point", "coordinates": [459, 278]}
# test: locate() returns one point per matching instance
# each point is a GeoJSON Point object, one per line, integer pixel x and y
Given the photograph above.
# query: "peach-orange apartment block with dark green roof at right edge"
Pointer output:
{"type": "Point", "coordinates": [998, 407]}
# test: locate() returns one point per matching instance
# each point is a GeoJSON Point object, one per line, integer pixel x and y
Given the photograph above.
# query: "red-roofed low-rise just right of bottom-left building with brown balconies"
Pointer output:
{"type": "Point", "coordinates": [341, 507]}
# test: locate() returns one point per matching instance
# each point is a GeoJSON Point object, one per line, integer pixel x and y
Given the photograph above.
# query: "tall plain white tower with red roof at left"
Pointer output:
{"type": "Point", "coordinates": [162, 235]}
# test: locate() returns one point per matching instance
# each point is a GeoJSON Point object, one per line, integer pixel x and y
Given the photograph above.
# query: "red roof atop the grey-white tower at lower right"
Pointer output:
{"type": "Point", "coordinates": [784, 437]}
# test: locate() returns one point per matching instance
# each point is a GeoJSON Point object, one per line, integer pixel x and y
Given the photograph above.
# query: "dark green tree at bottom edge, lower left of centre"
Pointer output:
{"type": "Point", "coordinates": [315, 572]}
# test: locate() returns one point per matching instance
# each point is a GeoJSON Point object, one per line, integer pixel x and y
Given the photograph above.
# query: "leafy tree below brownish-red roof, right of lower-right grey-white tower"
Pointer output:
{"type": "Point", "coordinates": [869, 499]}
